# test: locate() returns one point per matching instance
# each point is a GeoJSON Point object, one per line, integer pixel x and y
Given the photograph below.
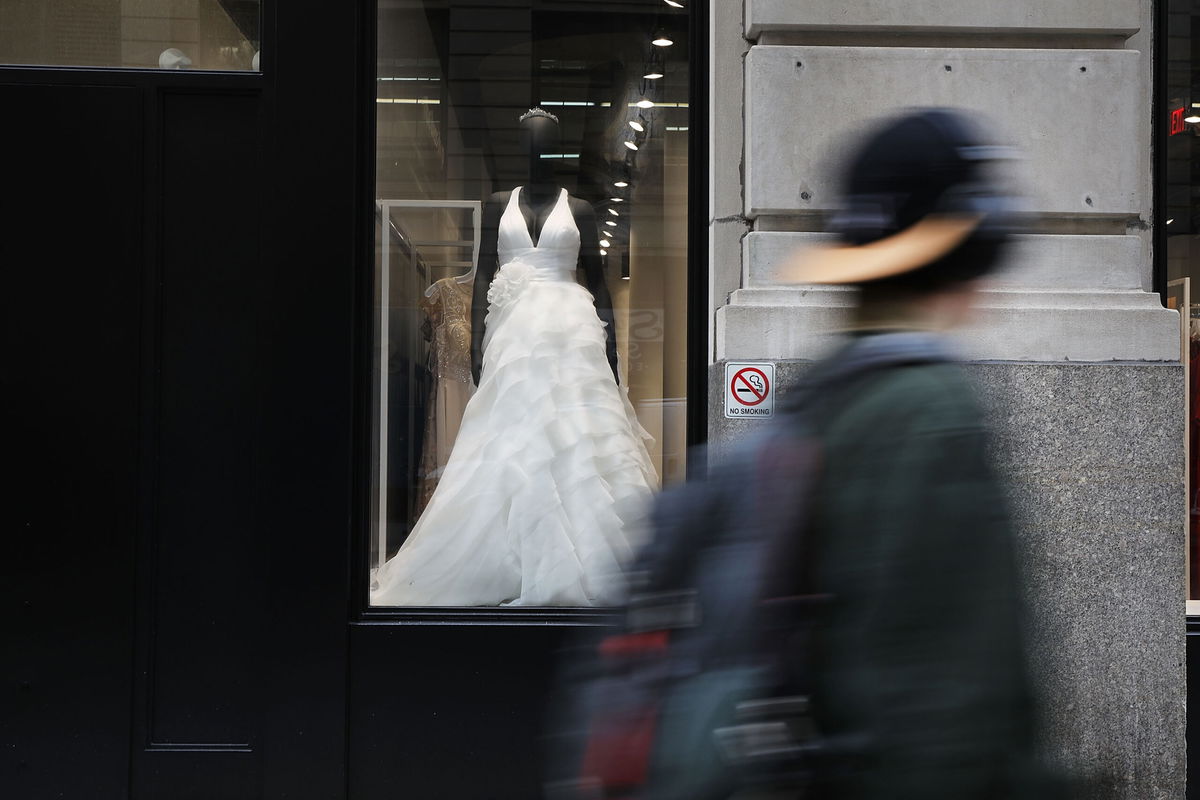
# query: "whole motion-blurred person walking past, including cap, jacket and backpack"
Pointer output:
{"type": "Point", "coordinates": [835, 611]}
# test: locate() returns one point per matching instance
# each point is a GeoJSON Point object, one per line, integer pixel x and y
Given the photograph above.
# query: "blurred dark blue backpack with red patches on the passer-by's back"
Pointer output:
{"type": "Point", "coordinates": [705, 688]}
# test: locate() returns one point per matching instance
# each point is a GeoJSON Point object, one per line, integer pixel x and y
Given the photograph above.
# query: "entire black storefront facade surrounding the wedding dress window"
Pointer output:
{"type": "Point", "coordinates": [187, 371]}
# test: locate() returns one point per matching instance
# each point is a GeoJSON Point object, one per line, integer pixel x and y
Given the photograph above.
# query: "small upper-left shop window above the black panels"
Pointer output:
{"type": "Point", "coordinates": [151, 34]}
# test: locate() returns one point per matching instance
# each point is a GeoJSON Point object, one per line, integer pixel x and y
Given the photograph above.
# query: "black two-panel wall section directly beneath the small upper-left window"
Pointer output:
{"type": "Point", "coordinates": [131, 242]}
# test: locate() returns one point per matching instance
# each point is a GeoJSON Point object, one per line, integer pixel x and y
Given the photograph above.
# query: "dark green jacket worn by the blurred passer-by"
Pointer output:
{"type": "Point", "coordinates": [922, 654]}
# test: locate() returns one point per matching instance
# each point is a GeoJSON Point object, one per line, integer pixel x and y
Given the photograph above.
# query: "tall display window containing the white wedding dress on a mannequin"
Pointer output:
{"type": "Point", "coordinates": [531, 297]}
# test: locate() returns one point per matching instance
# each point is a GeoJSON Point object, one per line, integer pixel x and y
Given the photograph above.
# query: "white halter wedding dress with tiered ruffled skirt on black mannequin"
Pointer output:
{"type": "Point", "coordinates": [550, 472]}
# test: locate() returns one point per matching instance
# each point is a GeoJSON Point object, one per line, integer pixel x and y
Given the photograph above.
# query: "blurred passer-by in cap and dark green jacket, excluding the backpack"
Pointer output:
{"type": "Point", "coordinates": [920, 653]}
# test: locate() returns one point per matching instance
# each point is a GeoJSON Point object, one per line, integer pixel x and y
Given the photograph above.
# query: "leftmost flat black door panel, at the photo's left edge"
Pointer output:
{"type": "Point", "coordinates": [70, 255]}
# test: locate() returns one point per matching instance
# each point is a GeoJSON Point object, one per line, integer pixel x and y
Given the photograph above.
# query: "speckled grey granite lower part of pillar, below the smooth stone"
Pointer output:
{"type": "Point", "coordinates": [1095, 460]}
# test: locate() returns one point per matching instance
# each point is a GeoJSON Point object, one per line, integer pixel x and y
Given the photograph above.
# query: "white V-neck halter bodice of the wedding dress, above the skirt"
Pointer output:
{"type": "Point", "coordinates": [557, 251]}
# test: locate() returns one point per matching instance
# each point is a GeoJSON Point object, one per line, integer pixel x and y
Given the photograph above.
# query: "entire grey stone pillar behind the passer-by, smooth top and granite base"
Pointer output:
{"type": "Point", "coordinates": [1078, 358]}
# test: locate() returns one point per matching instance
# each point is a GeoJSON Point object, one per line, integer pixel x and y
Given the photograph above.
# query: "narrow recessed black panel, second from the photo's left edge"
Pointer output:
{"type": "Point", "coordinates": [196, 731]}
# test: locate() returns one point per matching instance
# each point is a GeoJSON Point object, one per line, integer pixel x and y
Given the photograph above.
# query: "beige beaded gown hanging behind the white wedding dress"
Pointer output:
{"type": "Point", "coordinates": [447, 309]}
